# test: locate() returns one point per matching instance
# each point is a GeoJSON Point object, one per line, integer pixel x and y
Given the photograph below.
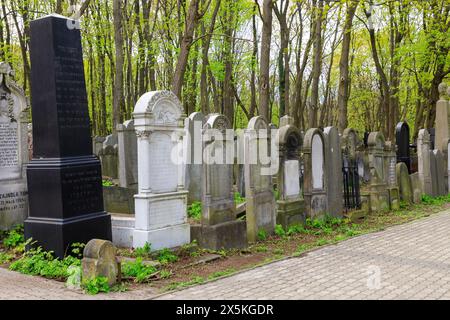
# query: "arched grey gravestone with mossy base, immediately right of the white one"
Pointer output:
{"type": "Point", "coordinates": [219, 227]}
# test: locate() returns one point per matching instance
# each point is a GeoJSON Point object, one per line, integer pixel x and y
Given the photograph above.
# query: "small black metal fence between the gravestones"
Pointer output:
{"type": "Point", "coordinates": [352, 196]}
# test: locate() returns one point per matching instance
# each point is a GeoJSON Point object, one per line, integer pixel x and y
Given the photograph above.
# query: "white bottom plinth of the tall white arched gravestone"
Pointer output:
{"type": "Point", "coordinates": [168, 237]}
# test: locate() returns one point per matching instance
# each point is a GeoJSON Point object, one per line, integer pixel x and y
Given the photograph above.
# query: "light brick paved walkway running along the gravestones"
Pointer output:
{"type": "Point", "coordinates": [410, 261]}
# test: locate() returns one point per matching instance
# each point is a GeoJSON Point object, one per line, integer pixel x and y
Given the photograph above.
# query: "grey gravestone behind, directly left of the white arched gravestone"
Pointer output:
{"type": "Point", "coordinates": [127, 150]}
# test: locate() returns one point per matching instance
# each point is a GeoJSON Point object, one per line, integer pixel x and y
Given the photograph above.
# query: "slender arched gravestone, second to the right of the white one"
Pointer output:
{"type": "Point", "coordinates": [260, 209]}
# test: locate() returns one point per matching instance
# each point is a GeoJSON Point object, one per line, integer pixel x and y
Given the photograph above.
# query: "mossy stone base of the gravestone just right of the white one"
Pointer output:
{"type": "Point", "coordinates": [226, 235]}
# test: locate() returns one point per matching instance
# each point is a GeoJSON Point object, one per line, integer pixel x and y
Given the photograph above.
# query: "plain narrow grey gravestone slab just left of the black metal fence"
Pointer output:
{"type": "Point", "coordinates": [334, 171]}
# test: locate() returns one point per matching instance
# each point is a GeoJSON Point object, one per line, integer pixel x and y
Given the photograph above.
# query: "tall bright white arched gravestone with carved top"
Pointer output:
{"type": "Point", "coordinates": [161, 203]}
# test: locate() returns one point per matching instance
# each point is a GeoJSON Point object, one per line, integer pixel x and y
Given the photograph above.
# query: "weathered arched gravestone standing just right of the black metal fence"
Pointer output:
{"type": "Point", "coordinates": [378, 189]}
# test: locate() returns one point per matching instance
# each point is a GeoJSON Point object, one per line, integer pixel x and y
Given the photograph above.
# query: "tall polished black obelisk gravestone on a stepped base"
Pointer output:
{"type": "Point", "coordinates": [64, 178]}
